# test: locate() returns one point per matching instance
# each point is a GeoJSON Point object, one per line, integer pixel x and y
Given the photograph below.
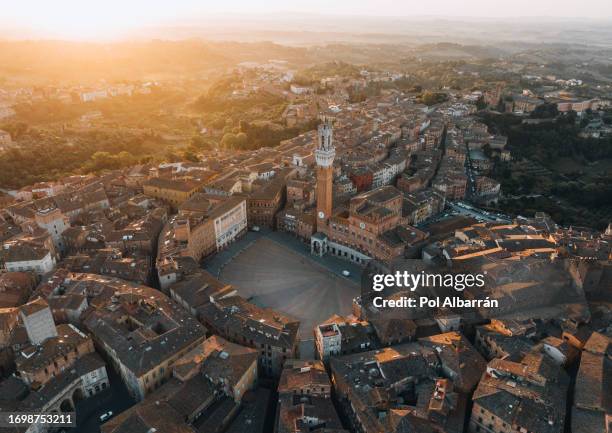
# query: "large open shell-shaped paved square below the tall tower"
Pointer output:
{"type": "Point", "coordinates": [271, 275]}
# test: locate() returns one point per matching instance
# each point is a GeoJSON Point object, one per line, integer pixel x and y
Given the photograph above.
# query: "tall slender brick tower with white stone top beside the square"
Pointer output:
{"type": "Point", "coordinates": [324, 156]}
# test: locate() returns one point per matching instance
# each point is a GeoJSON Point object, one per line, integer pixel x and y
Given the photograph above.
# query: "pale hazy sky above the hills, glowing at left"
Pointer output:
{"type": "Point", "coordinates": [109, 18]}
